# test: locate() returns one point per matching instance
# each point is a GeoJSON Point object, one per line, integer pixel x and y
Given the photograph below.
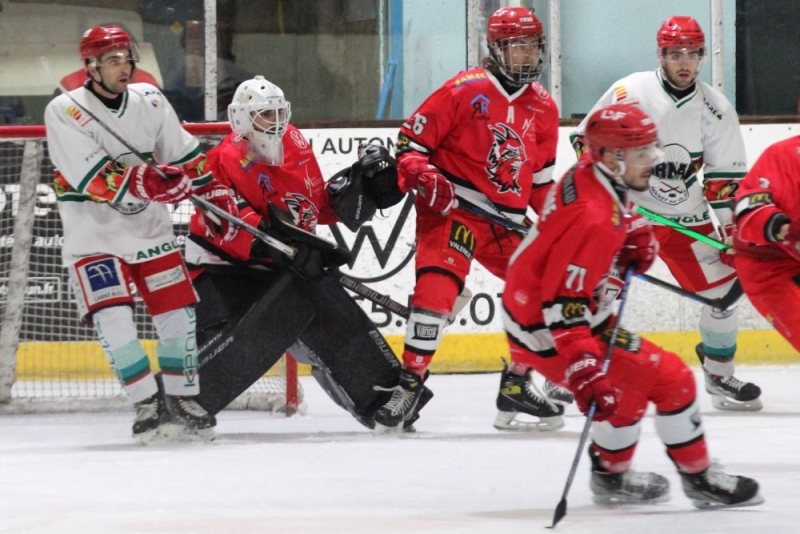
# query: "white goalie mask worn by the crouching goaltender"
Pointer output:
{"type": "Point", "coordinates": [260, 113]}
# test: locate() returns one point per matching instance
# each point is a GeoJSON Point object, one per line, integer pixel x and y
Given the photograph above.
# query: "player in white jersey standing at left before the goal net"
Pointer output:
{"type": "Point", "coordinates": [118, 230]}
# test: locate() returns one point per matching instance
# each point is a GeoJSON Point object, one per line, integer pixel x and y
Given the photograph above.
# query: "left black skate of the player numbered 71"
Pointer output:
{"type": "Point", "coordinates": [630, 487]}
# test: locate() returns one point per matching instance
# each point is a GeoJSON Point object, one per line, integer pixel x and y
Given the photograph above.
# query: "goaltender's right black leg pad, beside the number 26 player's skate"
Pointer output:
{"type": "Point", "coordinates": [349, 347]}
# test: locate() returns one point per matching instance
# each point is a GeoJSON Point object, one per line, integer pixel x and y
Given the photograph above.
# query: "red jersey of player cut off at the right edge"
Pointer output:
{"type": "Point", "coordinates": [771, 188]}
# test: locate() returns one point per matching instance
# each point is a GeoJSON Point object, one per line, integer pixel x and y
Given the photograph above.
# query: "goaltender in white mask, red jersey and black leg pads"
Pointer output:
{"type": "Point", "coordinates": [255, 302]}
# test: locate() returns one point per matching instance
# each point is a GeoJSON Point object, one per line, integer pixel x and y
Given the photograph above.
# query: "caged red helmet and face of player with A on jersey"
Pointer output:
{"type": "Point", "coordinates": [515, 38]}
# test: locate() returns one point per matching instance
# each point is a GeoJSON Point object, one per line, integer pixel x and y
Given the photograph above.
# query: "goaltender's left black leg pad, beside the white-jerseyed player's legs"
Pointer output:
{"type": "Point", "coordinates": [246, 321]}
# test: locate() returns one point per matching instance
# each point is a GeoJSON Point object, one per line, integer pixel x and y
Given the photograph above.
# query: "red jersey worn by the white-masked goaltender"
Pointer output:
{"type": "Point", "coordinates": [297, 187]}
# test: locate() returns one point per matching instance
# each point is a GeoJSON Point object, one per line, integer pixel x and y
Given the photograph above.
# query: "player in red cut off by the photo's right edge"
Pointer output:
{"type": "Point", "coordinates": [767, 238]}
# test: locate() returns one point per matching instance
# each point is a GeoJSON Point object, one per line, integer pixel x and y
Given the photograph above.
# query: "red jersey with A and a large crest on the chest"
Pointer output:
{"type": "Point", "coordinates": [487, 142]}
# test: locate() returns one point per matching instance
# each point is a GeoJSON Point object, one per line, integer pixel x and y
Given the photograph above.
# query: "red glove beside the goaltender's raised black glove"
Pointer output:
{"type": "Point", "coordinates": [436, 191]}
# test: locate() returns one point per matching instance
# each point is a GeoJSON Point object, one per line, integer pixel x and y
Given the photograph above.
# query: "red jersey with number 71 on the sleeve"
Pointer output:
{"type": "Point", "coordinates": [557, 285]}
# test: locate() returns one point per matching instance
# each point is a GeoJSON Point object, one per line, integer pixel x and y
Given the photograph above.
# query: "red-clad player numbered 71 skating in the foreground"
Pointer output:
{"type": "Point", "coordinates": [557, 312]}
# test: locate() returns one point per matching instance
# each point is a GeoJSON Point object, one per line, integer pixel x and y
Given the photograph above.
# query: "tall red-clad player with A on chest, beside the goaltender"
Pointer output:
{"type": "Point", "coordinates": [488, 136]}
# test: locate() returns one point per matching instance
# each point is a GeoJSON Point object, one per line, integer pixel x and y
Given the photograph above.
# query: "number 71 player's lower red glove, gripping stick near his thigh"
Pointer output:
{"type": "Point", "coordinates": [589, 384]}
